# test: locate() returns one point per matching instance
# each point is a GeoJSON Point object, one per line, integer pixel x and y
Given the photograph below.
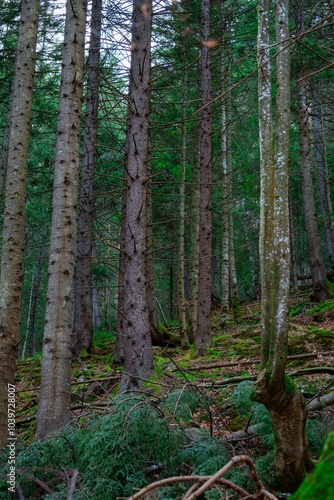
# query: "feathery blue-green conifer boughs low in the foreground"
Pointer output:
{"type": "Point", "coordinates": [114, 453]}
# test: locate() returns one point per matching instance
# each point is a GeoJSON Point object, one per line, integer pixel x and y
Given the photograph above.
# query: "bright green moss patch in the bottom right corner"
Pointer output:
{"type": "Point", "coordinates": [320, 484]}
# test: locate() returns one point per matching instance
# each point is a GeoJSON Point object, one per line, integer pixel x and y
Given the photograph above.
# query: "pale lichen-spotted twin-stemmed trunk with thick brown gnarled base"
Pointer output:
{"type": "Point", "coordinates": [284, 402]}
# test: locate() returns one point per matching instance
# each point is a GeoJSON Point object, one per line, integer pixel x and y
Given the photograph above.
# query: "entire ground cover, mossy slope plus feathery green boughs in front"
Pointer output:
{"type": "Point", "coordinates": [190, 419]}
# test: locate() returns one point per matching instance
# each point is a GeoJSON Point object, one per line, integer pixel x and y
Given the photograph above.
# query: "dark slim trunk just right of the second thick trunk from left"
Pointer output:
{"type": "Point", "coordinates": [83, 305]}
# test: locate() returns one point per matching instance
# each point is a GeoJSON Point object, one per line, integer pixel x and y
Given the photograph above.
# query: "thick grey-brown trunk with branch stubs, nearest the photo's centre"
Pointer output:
{"type": "Point", "coordinates": [136, 329]}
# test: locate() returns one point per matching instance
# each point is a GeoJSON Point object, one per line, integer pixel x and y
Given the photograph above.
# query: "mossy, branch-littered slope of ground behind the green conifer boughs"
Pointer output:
{"type": "Point", "coordinates": [234, 358]}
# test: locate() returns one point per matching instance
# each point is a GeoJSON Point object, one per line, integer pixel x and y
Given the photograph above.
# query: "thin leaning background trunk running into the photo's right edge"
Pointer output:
{"type": "Point", "coordinates": [325, 199]}
